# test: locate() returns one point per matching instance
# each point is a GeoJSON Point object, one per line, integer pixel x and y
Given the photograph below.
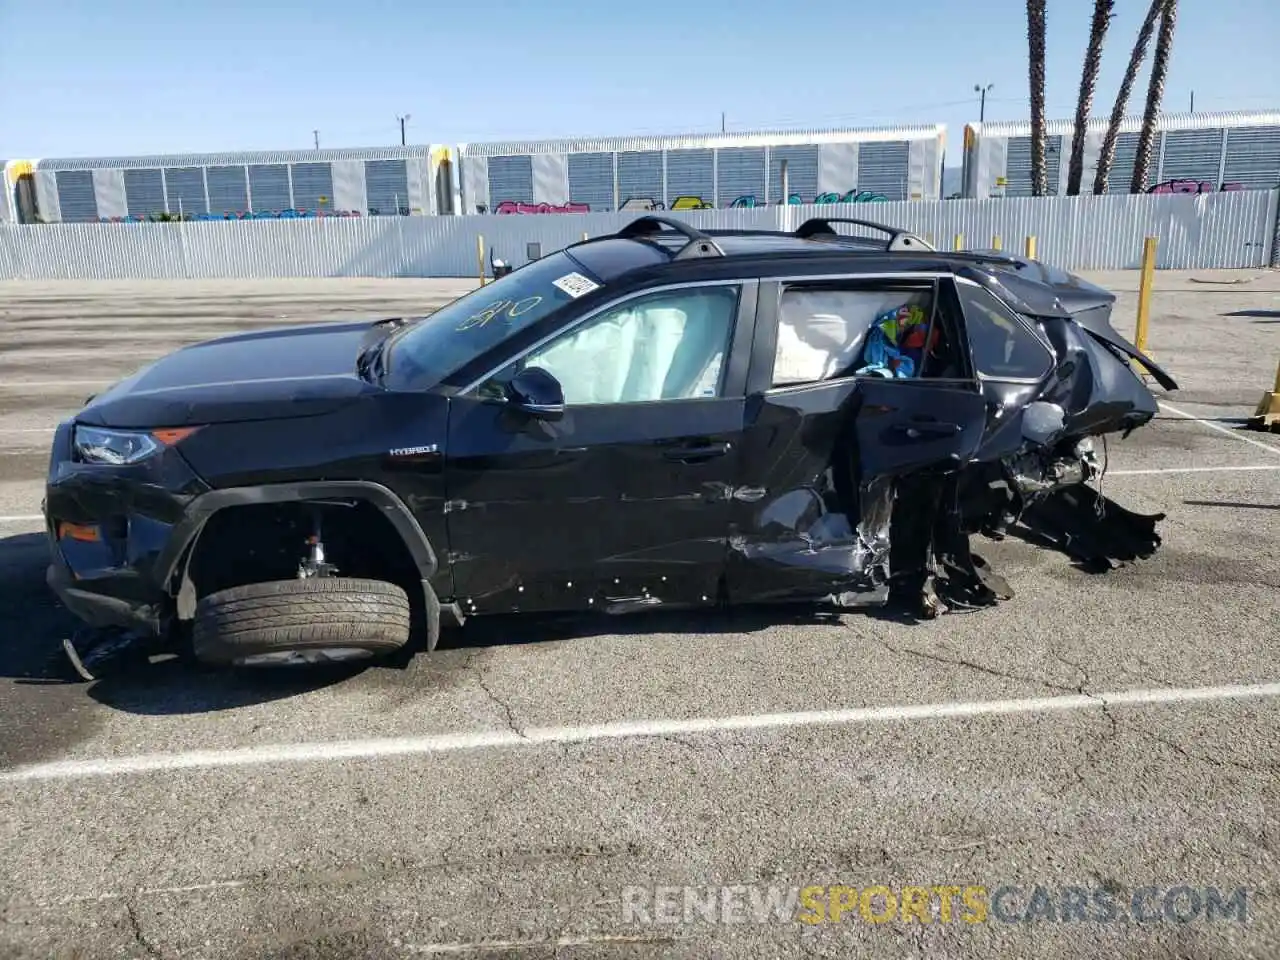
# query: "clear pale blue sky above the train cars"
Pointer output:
{"type": "Point", "coordinates": [107, 77]}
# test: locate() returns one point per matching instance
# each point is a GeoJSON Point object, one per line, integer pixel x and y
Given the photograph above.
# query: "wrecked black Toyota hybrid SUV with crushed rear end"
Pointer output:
{"type": "Point", "coordinates": [659, 418]}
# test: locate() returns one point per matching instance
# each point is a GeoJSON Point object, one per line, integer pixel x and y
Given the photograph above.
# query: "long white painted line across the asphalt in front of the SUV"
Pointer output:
{"type": "Point", "coordinates": [534, 737]}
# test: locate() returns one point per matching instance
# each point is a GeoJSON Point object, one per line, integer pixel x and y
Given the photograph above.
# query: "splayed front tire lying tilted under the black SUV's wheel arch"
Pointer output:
{"type": "Point", "coordinates": [301, 621]}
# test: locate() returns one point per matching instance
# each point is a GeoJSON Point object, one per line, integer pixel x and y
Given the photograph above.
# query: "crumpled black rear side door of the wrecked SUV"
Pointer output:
{"type": "Point", "coordinates": [828, 437]}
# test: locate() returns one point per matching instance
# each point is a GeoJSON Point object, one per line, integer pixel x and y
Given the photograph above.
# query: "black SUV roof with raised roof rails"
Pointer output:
{"type": "Point", "coordinates": [652, 248]}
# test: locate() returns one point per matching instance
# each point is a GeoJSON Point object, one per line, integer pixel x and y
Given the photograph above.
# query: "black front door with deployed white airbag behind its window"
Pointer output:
{"type": "Point", "coordinates": [624, 501]}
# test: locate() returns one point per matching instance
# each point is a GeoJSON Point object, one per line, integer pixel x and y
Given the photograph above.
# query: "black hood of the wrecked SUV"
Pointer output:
{"type": "Point", "coordinates": [266, 374]}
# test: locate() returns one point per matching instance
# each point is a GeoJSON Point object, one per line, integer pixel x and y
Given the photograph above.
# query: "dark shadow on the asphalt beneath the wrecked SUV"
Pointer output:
{"type": "Point", "coordinates": [140, 679]}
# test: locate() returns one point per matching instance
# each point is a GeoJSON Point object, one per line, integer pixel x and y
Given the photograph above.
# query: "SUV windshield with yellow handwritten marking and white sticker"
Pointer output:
{"type": "Point", "coordinates": [463, 331]}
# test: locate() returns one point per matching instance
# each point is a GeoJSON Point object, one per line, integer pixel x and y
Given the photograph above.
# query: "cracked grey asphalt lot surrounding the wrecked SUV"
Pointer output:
{"type": "Point", "coordinates": [641, 788]}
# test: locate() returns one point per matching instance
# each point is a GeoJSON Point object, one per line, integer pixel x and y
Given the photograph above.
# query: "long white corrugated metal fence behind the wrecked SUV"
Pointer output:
{"type": "Point", "coordinates": [1226, 230]}
